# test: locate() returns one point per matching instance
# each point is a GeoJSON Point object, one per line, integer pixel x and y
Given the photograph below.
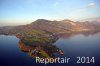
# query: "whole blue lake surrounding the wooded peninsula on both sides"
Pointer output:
{"type": "Point", "coordinates": [83, 44]}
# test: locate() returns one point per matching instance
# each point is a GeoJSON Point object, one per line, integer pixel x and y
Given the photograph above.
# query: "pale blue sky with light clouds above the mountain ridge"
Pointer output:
{"type": "Point", "coordinates": [19, 12]}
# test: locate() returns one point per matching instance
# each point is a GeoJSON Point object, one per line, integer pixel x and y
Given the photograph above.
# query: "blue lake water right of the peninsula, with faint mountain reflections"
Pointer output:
{"type": "Point", "coordinates": [87, 45]}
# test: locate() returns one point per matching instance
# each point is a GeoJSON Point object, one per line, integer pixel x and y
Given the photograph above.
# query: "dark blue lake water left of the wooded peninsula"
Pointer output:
{"type": "Point", "coordinates": [10, 54]}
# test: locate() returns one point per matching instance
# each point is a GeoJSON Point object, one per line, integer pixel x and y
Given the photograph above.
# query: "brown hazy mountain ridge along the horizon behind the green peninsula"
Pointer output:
{"type": "Point", "coordinates": [47, 26]}
